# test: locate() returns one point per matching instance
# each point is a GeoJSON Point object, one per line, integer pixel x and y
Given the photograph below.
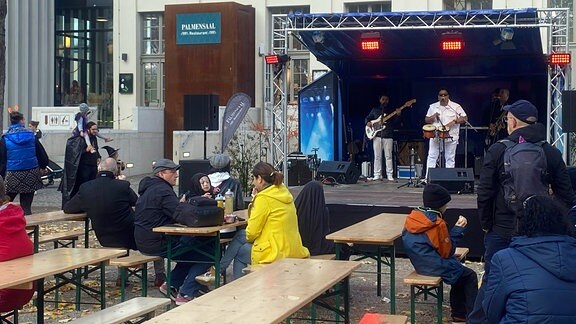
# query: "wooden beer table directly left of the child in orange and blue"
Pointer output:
{"type": "Point", "coordinates": [381, 230]}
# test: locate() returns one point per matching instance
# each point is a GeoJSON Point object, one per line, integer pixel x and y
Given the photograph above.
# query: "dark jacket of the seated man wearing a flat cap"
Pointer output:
{"type": "Point", "coordinates": [154, 208]}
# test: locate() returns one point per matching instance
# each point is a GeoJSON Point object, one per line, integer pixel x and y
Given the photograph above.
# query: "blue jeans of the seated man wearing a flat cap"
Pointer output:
{"type": "Point", "coordinates": [184, 274]}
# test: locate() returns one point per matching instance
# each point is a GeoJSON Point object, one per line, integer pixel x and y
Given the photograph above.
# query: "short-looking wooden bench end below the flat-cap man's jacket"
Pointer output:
{"type": "Point", "coordinates": [134, 264]}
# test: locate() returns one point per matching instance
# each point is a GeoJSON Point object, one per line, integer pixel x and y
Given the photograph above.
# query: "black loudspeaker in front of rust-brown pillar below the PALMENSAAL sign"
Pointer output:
{"type": "Point", "coordinates": [200, 111]}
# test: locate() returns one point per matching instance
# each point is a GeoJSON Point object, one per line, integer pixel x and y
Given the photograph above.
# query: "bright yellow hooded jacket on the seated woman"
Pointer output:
{"type": "Point", "coordinates": [273, 226]}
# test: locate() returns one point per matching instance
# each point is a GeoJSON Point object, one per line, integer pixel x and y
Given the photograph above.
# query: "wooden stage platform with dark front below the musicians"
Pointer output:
{"type": "Point", "coordinates": [351, 203]}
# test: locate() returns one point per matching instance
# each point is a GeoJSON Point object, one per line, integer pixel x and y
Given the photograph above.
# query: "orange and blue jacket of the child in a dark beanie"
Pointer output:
{"type": "Point", "coordinates": [424, 256]}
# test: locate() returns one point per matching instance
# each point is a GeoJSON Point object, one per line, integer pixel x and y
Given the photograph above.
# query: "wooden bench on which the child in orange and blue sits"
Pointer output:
{"type": "Point", "coordinates": [429, 285]}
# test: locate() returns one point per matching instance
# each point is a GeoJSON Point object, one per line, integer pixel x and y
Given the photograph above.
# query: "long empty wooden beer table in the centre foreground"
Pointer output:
{"type": "Point", "coordinates": [269, 295]}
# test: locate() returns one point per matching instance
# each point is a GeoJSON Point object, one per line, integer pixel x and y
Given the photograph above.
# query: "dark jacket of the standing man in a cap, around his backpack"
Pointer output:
{"type": "Point", "coordinates": [492, 210]}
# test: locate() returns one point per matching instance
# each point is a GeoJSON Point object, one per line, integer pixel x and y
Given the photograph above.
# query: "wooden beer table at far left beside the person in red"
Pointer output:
{"type": "Point", "coordinates": [21, 272]}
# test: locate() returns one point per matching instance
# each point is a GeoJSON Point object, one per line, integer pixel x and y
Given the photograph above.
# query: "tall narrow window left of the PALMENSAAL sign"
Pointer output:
{"type": "Point", "coordinates": [152, 49]}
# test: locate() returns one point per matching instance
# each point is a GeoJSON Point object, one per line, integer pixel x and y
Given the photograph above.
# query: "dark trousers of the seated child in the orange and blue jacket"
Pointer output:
{"type": "Point", "coordinates": [463, 293]}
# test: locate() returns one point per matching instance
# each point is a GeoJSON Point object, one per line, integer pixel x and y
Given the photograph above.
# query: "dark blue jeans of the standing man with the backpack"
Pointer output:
{"type": "Point", "coordinates": [492, 244]}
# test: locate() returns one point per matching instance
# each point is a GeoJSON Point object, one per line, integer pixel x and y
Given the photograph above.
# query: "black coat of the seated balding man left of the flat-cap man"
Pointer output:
{"type": "Point", "coordinates": [108, 203]}
